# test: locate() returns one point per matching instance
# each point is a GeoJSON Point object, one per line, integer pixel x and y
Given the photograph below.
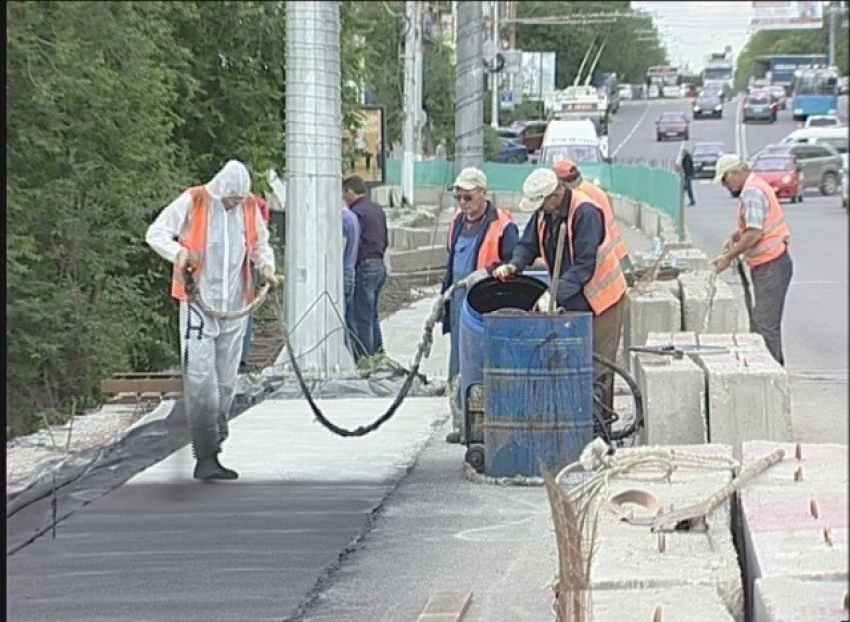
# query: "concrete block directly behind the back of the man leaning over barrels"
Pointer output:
{"type": "Point", "coordinates": [656, 310]}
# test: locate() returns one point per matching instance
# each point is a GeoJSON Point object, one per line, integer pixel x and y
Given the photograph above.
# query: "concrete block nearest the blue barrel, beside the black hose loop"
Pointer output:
{"type": "Point", "coordinates": [673, 394]}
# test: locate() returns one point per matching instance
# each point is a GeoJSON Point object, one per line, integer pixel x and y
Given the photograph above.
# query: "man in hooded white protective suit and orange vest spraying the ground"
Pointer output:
{"type": "Point", "coordinates": [212, 234]}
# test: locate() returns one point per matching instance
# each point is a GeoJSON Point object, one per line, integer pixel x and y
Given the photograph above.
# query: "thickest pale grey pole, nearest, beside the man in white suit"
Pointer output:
{"type": "Point", "coordinates": [314, 301]}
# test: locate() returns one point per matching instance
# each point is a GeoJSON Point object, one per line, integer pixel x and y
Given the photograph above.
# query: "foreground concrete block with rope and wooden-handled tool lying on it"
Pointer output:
{"type": "Point", "coordinates": [630, 556]}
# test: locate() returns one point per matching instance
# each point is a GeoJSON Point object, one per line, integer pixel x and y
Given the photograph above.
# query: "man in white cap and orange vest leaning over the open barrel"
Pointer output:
{"type": "Point", "coordinates": [590, 277]}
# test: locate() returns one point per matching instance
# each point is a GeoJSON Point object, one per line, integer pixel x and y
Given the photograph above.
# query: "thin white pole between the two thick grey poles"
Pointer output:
{"type": "Point", "coordinates": [411, 105]}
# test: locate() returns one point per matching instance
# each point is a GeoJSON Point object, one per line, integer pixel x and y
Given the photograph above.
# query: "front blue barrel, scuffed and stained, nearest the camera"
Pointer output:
{"type": "Point", "coordinates": [538, 391]}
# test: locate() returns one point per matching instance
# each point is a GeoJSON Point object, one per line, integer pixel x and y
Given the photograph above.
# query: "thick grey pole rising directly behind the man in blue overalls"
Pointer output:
{"type": "Point", "coordinates": [469, 89]}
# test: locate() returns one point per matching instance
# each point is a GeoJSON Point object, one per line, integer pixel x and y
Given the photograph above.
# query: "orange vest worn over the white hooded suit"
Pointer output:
{"type": "Point", "coordinates": [195, 240]}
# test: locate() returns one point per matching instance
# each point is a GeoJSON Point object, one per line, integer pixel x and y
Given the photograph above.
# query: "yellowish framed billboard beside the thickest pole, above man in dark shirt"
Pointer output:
{"type": "Point", "coordinates": [364, 153]}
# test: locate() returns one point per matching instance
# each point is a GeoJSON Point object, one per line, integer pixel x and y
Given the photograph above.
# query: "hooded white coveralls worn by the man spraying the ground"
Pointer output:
{"type": "Point", "coordinates": [210, 347]}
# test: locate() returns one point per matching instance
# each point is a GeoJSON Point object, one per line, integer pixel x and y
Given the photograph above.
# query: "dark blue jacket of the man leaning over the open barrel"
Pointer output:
{"type": "Point", "coordinates": [587, 234]}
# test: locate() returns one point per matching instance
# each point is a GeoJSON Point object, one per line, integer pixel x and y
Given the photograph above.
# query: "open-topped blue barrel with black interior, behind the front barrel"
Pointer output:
{"type": "Point", "coordinates": [486, 296]}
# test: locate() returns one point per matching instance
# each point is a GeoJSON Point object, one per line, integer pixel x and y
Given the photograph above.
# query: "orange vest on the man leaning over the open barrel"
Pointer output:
{"type": "Point", "coordinates": [608, 284]}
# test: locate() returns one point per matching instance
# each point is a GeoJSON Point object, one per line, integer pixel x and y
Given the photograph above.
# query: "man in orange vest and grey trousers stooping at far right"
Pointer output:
{"type": "Point", "coordinates": [761, 238]}
